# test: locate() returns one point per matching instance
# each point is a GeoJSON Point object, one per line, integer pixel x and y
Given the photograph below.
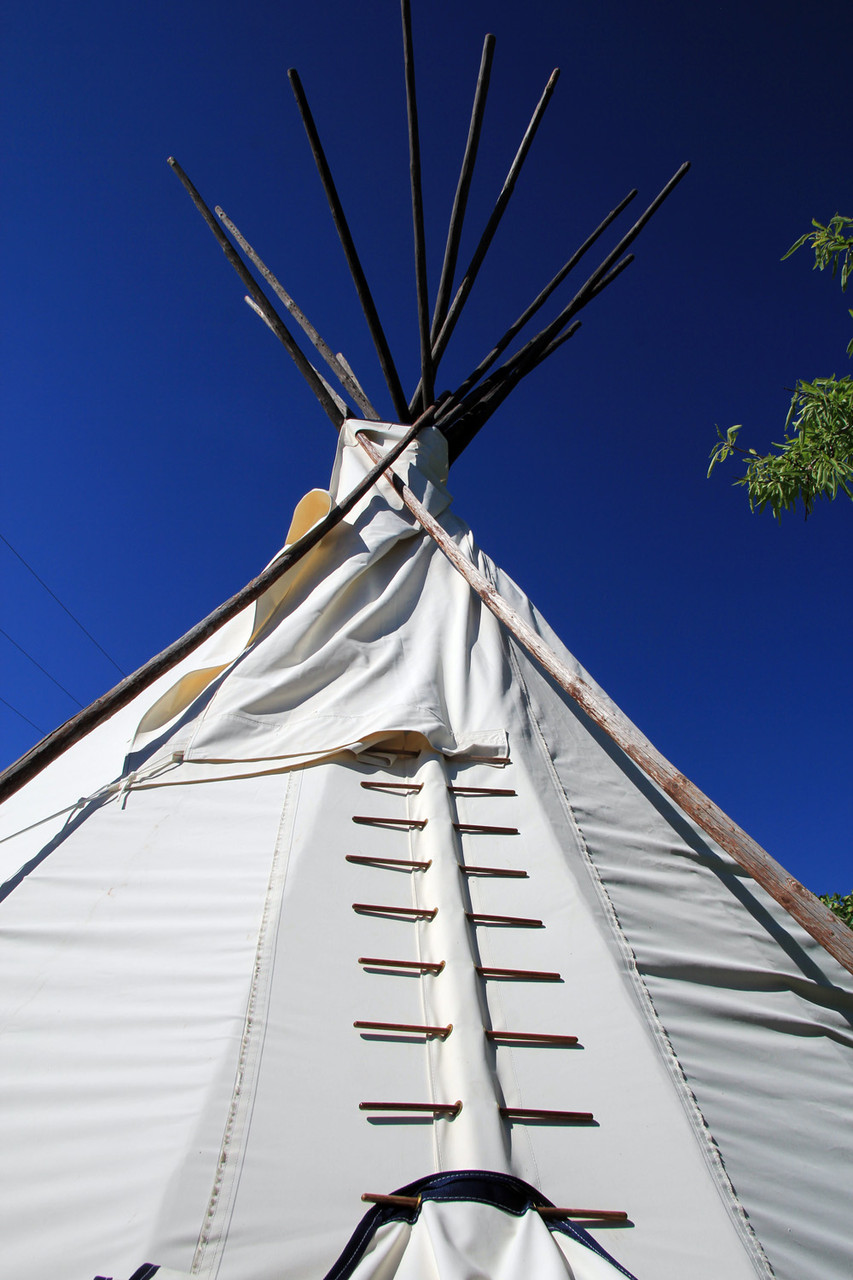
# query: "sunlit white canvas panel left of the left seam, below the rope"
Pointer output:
{"type": "Point", "coordinates": [127, 964]}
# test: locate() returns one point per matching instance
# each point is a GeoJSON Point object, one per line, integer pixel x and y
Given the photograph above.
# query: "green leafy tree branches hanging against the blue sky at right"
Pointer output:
{"type": "Point", "coordinates": [815, 460]}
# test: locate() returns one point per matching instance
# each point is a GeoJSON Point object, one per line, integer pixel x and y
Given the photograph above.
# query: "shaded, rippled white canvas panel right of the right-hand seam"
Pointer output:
{"type": "Point", "coordinates": [760, 1017]}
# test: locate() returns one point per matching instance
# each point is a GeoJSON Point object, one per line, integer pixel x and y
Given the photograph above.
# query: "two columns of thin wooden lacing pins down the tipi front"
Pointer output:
{"type": "Point", "coordinates": [449, 1110]}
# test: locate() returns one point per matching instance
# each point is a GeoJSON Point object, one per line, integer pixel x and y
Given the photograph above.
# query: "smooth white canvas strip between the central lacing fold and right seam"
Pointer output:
{"type": "Point", "coordinates": [642, 1155]}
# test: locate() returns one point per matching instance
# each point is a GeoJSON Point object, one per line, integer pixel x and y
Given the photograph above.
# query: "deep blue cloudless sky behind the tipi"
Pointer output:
{"type": "Point", "coordinates": [157, 438]}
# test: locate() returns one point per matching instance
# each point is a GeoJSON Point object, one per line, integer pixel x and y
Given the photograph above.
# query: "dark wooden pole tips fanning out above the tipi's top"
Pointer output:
{"type": "Point", "coordinates": [466, 409]}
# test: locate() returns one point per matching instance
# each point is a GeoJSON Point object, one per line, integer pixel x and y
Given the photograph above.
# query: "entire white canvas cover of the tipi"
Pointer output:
{"type": "Point", "coordinates": [184, 964]}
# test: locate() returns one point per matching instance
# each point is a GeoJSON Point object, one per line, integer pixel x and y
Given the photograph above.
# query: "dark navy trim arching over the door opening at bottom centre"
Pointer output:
{"type": "Point", "coordinates": [500, 1191]}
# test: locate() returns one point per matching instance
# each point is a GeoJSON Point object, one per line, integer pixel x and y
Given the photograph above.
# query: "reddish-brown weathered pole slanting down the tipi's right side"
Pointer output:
{"type": "Point", "coordinates": [814, 916]}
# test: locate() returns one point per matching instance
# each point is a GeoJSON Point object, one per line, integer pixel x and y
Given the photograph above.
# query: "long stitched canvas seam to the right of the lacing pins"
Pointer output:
{"type": "Point", "coordinates": [646, 1004]}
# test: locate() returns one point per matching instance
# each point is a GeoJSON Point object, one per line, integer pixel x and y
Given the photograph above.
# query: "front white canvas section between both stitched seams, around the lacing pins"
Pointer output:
{"type": "Point", "coordinates": [293, 1183]}
